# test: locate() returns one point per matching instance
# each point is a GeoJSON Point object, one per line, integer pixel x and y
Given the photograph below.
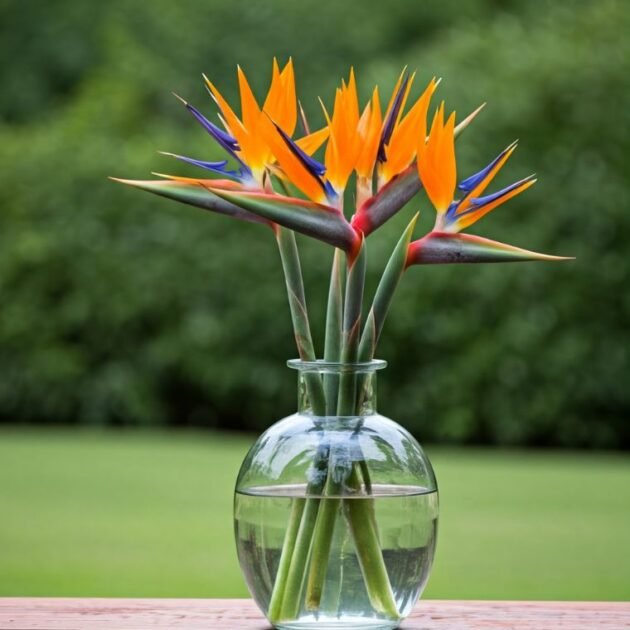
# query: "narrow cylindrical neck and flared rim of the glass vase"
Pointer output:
{"type": "Point", "coordinates": [337, 389]}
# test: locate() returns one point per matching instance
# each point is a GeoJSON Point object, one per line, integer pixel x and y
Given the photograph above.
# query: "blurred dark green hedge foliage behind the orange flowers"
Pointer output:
{"type": "Point", "coordinates": [121, 308]}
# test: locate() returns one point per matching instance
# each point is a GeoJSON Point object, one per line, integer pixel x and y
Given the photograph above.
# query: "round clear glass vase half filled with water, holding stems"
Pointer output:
{"type": "Point", "coordinates": [336, 508]}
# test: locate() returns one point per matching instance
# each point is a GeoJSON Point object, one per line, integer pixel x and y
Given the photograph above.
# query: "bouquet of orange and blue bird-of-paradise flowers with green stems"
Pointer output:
{"type": "Point", "coordinates": [271, 177]}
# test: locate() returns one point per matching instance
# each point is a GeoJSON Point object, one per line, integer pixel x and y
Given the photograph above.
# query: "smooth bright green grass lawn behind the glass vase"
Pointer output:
{"type": "Point", "coordinates": [149, 514]}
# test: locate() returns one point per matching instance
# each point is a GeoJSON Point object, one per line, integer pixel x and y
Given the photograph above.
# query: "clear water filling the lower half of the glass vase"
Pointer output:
{"type": "Point", "coordinates": [405, 518]}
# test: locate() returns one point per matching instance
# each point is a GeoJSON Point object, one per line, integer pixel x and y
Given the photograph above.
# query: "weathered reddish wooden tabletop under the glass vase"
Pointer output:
{"type": "Point", "coordinates": [240, 614]}
